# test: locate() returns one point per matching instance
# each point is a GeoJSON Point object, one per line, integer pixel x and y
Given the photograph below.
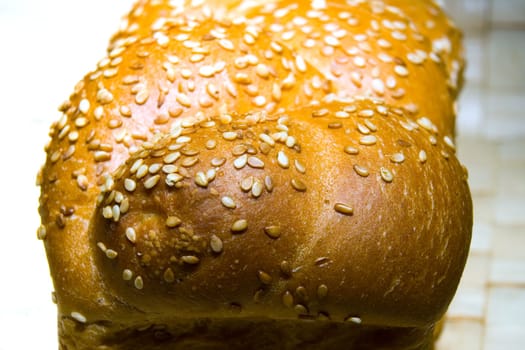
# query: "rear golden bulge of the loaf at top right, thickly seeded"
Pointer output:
{"type": "Point", "coordinates": [376, 49]}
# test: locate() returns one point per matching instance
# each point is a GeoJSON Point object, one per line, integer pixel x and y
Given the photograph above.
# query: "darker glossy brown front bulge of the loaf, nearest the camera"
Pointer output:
{"type": "Point", "coordinates": [207, 218]}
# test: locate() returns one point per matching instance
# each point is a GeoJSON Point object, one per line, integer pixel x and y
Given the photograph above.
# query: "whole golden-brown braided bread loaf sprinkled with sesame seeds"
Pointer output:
{"type": "Point", "coordinates": [260, 175]}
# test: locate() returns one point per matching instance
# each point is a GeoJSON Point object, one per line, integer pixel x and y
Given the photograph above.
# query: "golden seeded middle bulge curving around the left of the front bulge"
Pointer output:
{"type": "Point", "coordinates": [189, 71]}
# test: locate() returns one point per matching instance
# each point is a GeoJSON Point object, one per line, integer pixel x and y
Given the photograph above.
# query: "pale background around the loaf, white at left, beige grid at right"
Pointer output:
{"type": "Point", "coordinates": [46, 47]}
